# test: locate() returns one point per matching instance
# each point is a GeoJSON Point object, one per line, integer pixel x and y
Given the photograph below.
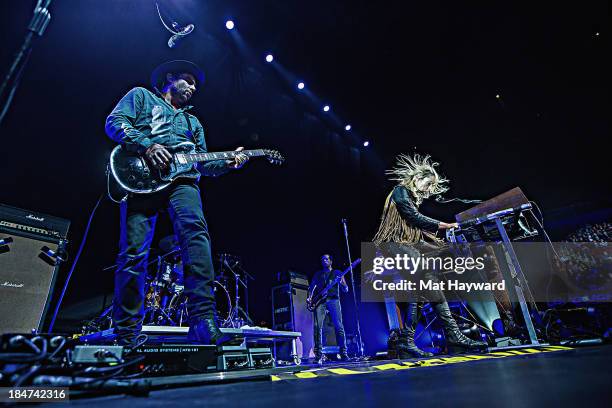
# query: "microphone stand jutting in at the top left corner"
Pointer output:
{"type": "Point", "coordinates": [37, 25]}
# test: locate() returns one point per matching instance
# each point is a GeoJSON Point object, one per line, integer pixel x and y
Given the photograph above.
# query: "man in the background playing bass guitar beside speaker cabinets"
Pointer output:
{"type": "Point", "coordinates": [331, 305]}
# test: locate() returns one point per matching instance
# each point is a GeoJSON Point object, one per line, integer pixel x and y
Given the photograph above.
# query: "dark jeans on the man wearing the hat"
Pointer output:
{"type": "Point", "coordinates": [138, 217]}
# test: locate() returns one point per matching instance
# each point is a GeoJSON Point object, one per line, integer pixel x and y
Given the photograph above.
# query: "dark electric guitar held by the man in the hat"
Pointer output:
{"type": "Point", "coordinates": [133, 172]}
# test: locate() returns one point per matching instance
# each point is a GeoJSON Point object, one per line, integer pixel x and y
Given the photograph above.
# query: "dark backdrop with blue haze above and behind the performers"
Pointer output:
{"type": "Point", "coordinates": [408, 76]}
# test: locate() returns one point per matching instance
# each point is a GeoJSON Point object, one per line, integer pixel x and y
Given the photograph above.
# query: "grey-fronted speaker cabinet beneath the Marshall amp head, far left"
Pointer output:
{"type": "Point", "coordinates": [27, 275]}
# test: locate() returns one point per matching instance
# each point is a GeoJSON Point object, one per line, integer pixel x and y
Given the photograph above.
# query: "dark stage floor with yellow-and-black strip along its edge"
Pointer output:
{"type": "Point", "coordinates": [547, 377]}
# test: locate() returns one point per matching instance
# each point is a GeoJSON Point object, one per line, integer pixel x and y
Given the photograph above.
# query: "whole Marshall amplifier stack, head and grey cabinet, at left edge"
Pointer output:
{"type": "Point", "coordinates": [31, 245]}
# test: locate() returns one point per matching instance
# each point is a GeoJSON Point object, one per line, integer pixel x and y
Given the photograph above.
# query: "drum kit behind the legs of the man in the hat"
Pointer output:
{"type": "Point", "coordinates": [165, 301]}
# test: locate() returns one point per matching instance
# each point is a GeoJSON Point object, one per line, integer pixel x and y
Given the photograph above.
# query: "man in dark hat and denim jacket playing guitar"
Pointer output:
{"type": "Point", "coordinates": [146, 122]}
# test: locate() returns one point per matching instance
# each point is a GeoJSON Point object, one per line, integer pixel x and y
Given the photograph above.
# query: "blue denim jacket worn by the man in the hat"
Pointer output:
{"type": "Point", "coordinates": [142, 118]}
